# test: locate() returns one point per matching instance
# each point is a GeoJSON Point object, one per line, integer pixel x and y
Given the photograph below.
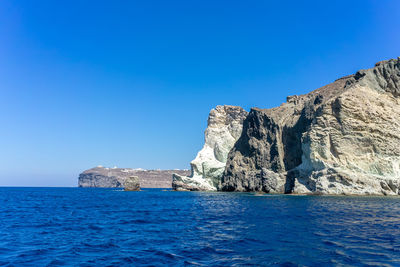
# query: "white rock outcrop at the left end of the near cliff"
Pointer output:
{"type": "Point", "coordinates": [224, 127]}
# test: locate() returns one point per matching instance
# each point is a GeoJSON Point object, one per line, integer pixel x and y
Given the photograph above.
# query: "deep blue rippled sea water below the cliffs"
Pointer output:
{"type": "Point", "coordinates": [97, 227]}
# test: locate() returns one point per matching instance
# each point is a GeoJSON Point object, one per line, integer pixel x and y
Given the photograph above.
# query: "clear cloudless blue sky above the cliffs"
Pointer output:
{"type": "Point", "coordinates": [131, 83]}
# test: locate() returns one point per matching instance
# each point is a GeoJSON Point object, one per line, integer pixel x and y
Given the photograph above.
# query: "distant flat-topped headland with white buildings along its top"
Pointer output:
{"type": "Point", "coordinates": [115, 177]}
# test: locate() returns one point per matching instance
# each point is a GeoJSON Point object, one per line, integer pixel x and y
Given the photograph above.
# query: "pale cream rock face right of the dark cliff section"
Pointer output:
{"type": "Point", "coordinates": [354, 145]}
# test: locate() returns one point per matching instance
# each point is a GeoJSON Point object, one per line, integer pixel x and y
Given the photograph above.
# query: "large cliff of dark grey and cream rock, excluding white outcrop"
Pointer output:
{"type": "Point", "coordinates": [342, 138]}
